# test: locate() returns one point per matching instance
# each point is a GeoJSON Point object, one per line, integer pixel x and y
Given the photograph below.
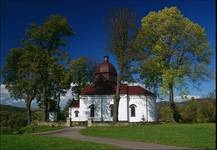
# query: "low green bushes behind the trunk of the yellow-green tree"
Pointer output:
{"type": "Point", "coordinates": [193, 111]}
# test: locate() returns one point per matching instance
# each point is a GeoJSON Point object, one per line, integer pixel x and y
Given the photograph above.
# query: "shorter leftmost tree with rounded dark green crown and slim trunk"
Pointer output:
{"type": "Point", "coordinates": [20, 75]}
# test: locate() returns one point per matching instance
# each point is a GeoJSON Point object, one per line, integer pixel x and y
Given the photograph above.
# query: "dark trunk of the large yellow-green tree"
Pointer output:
{"type": "Point", "coordinates": [175, 113]}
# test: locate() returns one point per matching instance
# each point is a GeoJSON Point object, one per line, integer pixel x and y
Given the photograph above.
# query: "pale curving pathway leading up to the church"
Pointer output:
{"type": "Point", "coordinates": [73, 133]}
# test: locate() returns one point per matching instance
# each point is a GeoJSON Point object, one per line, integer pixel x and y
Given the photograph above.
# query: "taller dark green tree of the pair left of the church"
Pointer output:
{"type": "Point", "coordinates": [49, 38]}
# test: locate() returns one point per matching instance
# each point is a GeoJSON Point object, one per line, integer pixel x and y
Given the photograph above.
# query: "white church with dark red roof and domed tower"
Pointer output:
{"type": "Point", "coordinates": [136, 103]}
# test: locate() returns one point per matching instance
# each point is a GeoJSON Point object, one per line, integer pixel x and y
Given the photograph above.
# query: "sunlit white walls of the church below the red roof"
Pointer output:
{"type": "Point", "coordinates": [102, 110]}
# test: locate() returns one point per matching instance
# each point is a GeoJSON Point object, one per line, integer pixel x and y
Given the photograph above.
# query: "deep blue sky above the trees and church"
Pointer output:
{"type": "Point", "coordinates": [89, 21]}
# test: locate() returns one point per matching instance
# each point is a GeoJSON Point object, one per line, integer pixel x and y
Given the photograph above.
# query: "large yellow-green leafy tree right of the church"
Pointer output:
{"type": "Point", "coordinates": [177, 52]}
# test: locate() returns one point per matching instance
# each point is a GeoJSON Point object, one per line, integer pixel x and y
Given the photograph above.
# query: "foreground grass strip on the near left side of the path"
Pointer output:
{"type": "Point", "coordinates": [33, 142]}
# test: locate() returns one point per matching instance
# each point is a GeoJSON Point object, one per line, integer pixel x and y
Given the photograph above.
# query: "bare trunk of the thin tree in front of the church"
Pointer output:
{"type": "Point", "coordinates": [116, 101]}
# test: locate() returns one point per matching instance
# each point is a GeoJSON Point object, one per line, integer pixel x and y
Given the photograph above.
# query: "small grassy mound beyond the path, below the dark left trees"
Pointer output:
{"type": "Point", "coordinates": [34, 129]}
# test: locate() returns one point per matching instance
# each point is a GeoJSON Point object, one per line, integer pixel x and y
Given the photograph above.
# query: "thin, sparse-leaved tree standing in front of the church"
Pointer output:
{"type": "Point", "coordinates": [123, 31]}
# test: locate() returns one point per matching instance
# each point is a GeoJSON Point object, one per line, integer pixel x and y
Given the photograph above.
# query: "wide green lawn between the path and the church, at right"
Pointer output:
{"type": "Point", "coordinates": [185, 135]}
